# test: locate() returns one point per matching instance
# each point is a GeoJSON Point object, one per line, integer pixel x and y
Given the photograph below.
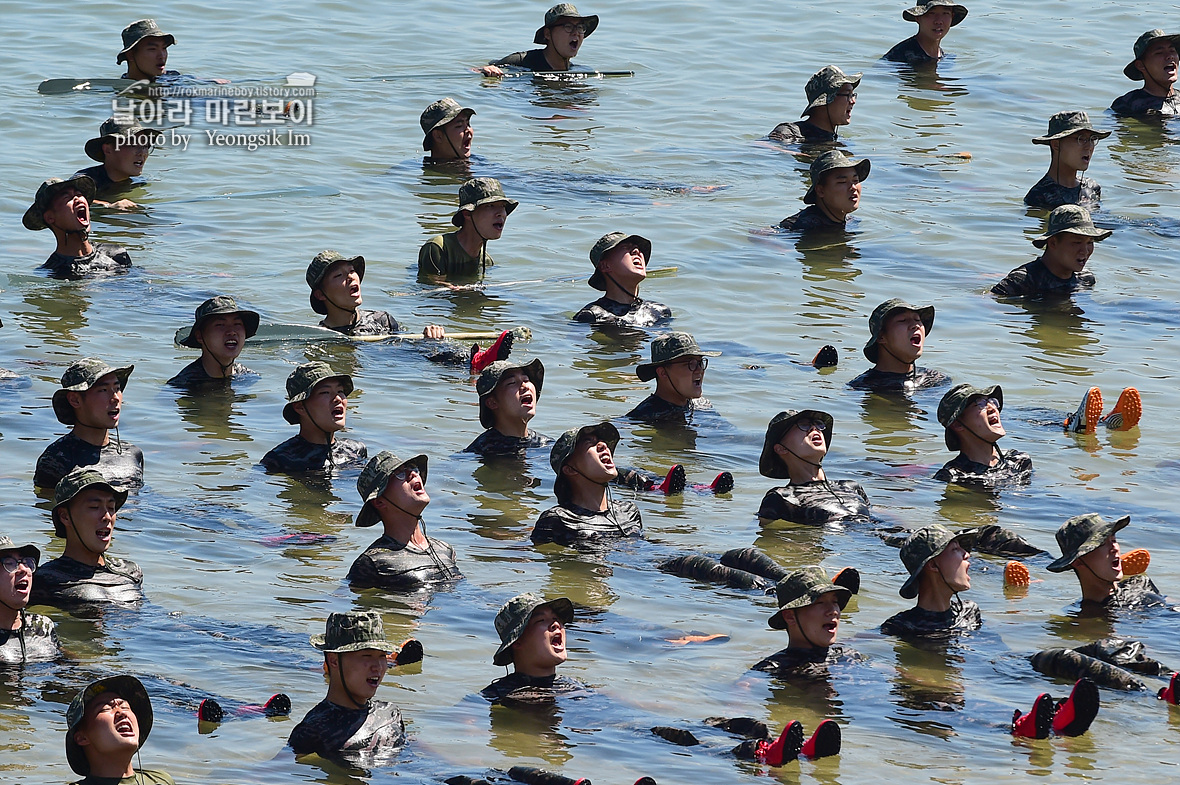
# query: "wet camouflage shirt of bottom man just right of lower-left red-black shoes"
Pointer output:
{"type": "Point", "coordinates": [356, 737]}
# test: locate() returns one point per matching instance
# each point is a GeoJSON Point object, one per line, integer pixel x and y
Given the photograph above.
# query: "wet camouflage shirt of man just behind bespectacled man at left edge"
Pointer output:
{"type": "Point", "coordinates": [65, 583]}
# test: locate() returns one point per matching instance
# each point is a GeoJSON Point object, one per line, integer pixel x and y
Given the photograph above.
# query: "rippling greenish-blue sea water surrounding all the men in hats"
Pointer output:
{"type": "Point", "coordinates": [230, 616]}
